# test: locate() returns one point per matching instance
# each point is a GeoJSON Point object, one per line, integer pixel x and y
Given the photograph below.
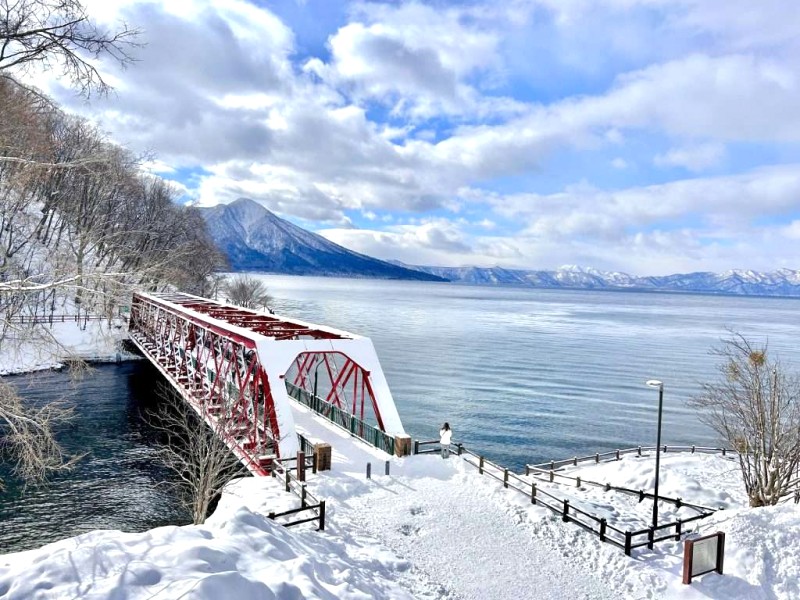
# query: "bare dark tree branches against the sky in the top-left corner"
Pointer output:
{"type": "Point", "coordinates": [59, 34]}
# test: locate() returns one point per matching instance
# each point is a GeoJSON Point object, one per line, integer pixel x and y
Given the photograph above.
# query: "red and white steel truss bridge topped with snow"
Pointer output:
{"type": "Point", "coordinates": [237, 368]}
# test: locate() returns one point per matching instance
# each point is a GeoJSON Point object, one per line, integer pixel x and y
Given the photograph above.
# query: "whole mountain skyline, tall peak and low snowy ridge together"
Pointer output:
{"type": "Point", "coordinates": [254, 239]}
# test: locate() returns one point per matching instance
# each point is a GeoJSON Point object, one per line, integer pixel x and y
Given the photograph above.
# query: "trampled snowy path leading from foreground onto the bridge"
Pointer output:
{"type": "Point", "coordinates": [464, 535]}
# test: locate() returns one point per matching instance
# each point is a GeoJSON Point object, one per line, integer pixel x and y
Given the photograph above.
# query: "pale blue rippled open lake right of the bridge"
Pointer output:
{"type": "Point", "coordinates": [526, 375]}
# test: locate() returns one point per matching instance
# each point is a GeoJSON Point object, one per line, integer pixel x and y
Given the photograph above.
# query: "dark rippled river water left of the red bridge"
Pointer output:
{"type": "Point", "coordinates": [118, 484]}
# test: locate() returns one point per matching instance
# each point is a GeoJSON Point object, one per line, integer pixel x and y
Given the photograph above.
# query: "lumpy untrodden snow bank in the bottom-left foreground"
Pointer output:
{"type": "Point", "coordinates": [242, 555]}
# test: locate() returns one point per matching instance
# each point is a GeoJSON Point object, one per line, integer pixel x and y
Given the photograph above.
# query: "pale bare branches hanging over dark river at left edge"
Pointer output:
{"type": "Point", "coordinates": [27, 435]}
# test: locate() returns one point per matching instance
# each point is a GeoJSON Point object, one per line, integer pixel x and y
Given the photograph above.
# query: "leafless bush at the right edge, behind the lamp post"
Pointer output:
{"type": "Point", "coordinates": [755, 407]}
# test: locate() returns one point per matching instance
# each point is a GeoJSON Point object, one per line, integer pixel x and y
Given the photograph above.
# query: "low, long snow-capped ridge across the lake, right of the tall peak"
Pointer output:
{"type": "Point", "coordinates": [783, 282]}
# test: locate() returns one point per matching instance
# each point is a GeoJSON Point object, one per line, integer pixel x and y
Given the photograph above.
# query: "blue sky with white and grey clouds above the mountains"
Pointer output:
{"type": "Point", "coordinates": [644, 136]}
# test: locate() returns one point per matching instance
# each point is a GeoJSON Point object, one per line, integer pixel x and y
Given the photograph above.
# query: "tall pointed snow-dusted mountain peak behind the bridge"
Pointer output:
{"type": "Point", "coordinates": [254, 239]}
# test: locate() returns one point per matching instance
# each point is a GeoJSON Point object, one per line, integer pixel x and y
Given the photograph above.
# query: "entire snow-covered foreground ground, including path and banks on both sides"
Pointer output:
{"type": "Point", "coordinates": [433, 528]}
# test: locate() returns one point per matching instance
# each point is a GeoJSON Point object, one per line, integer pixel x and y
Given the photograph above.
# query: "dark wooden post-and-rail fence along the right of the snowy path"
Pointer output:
{"type": "Point", "coordinates": [599, 526]}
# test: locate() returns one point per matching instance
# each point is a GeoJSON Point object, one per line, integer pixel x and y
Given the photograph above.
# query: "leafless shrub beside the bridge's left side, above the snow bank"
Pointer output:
{"type": "Point", "coordinates": [196, 453]}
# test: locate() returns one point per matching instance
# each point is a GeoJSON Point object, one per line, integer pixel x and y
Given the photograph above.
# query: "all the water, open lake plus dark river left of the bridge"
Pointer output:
{"type": "Point", "coordinates": [522, 375]}
